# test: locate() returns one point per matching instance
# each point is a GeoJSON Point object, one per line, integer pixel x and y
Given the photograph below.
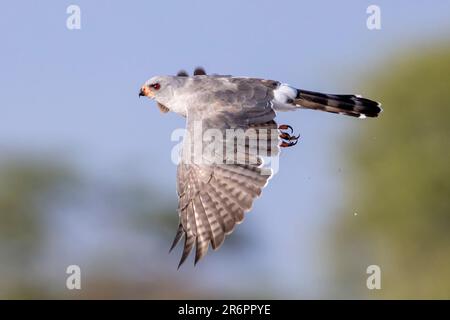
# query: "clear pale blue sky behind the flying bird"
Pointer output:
{"type": "Point", "coordinates": [75, 93]}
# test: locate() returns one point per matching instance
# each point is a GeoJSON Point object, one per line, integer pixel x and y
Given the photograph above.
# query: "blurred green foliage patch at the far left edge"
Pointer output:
{"type": "Point", "coordinates": [28, 187]}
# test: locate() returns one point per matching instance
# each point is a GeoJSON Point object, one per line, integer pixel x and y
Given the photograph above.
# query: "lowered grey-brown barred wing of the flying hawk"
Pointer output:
{"type": "Point", "coordinates": [216, 189]}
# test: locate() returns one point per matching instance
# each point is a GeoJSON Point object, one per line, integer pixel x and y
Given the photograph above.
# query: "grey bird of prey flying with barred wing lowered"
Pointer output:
{"type": "Point", "coordinates": [215, 192]}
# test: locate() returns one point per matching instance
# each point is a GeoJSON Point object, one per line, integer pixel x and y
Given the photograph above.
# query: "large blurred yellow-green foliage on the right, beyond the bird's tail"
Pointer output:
{"type": "Point", "coordinates": [401, 183]}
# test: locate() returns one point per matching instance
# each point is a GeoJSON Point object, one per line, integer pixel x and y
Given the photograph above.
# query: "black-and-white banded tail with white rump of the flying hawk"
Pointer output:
{"type": "Point", "coordinates": [350, 105]}
